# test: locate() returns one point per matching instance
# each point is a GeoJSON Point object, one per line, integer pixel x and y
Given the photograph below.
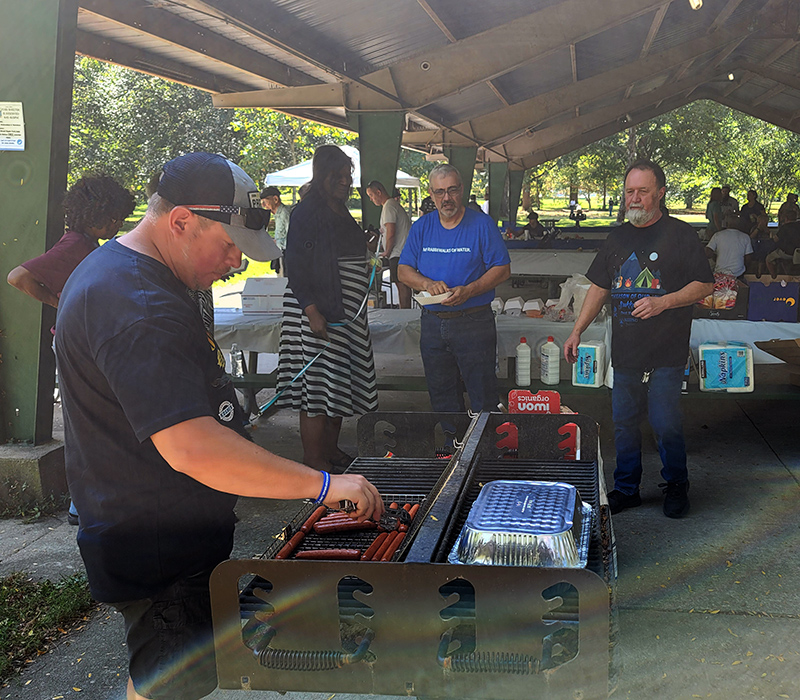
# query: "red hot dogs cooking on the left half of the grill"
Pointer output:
{"type": "Point", "coordinates": [323, 522]}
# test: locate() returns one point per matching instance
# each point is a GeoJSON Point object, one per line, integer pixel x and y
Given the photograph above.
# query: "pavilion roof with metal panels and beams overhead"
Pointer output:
{"type": "Point", "coordinates": [525, 80]}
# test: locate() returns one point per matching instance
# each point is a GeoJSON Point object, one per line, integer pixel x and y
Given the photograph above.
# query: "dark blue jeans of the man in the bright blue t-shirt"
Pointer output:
{"type": "Point", "coordinates": [464, 346]}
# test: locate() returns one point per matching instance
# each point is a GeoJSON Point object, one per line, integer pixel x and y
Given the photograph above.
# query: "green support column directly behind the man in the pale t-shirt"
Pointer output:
{"type": "Point", "coordinates": [379, 137]}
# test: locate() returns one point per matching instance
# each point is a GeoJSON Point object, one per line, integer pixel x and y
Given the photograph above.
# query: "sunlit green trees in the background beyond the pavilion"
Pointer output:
{"type": "Point", "coordinates": [127, 124]}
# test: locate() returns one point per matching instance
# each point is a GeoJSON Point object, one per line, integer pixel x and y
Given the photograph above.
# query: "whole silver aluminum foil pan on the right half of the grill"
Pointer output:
{"type": "Point", "coordinates": [525, 523]}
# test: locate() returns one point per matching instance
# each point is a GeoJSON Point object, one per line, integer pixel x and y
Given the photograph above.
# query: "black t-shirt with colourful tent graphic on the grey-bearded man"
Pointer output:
{"type": "Point", "coordinates": [652, 261]}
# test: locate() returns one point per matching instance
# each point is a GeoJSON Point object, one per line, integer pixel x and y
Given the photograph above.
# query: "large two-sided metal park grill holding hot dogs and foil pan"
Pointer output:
{"type": "Point", "coordinates": [421, 622]}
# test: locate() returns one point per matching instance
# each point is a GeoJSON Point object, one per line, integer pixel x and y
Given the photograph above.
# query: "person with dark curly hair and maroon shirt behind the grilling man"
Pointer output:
{"type": "Point", "coordinates": [94, 208]}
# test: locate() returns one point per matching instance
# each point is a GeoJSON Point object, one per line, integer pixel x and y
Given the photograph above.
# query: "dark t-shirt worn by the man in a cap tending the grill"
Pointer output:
{"type": "Point", "coordinates": [134, 358]}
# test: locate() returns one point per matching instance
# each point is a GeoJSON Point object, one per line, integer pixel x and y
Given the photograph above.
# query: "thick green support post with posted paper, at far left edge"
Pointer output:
{"type": "Point", "coordinates": [37, 54]}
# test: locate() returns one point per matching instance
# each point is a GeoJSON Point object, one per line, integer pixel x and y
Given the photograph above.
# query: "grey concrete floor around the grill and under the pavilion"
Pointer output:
{"type": "Point", "coordinates": [708, 604]}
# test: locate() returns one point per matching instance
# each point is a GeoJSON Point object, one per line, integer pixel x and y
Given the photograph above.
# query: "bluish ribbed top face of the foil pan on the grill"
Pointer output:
{"type": "Point", "coordinates": [524, 507]}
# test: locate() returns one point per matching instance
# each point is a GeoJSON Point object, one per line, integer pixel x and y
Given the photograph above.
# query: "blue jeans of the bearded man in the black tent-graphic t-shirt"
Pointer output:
{"type": "Point", "coordinates": [659, 399]}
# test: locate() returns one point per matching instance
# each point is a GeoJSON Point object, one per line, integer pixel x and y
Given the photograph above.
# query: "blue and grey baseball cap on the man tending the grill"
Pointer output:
{"type": "Point", "coordinates": [215, 188]}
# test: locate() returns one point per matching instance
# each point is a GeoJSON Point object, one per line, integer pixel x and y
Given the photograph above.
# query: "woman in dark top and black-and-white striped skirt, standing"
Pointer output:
{"type": "Point", "coordinates": [326, 262]}
